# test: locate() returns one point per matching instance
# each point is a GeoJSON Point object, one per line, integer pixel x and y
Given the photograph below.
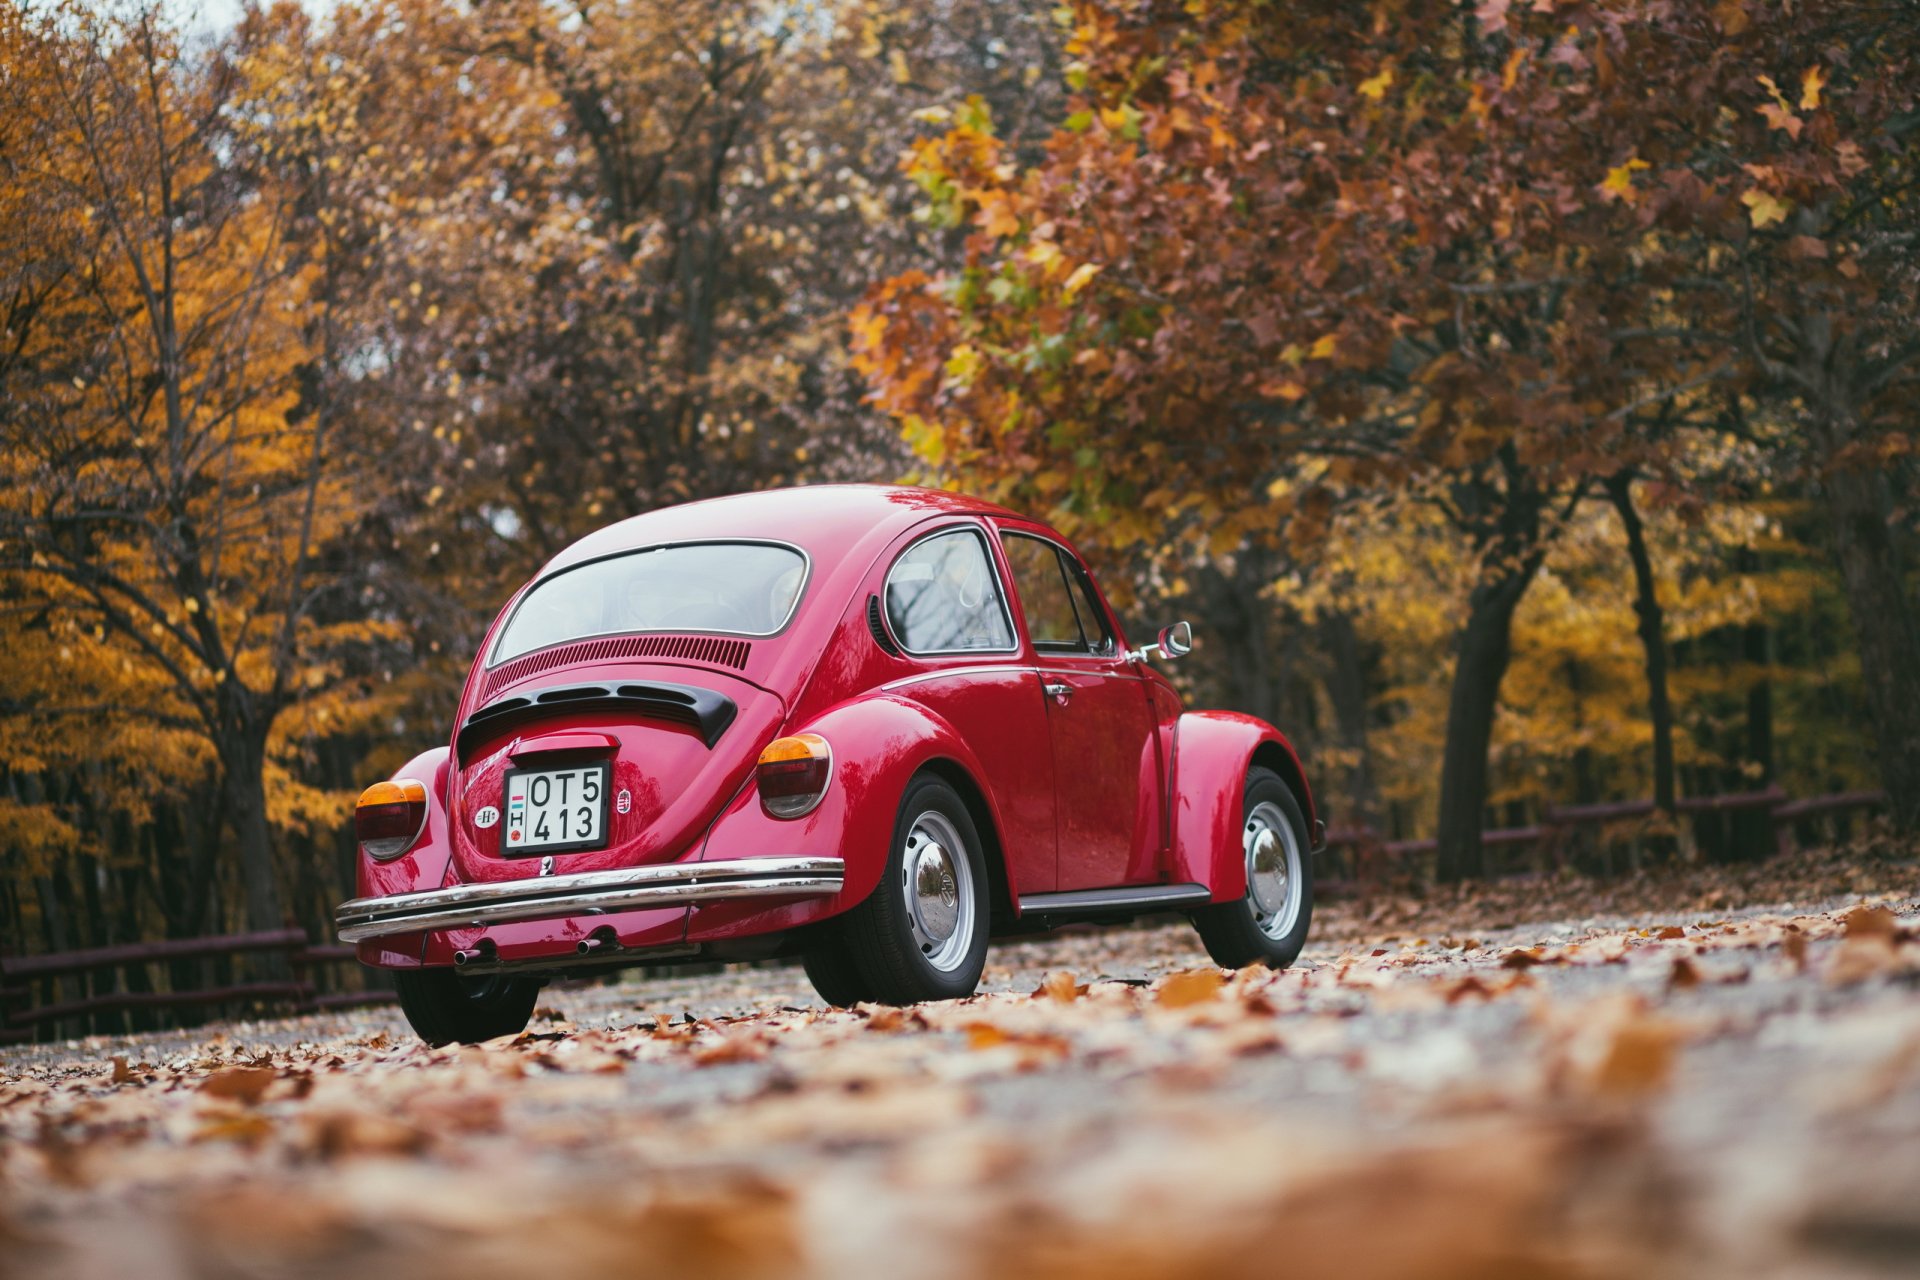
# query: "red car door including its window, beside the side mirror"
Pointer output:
{"type": "Point", "coordinates": [1099, 719]}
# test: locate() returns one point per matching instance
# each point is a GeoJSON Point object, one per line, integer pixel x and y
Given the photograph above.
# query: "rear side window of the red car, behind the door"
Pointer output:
{"type": "Point", "coordinates": [946, 598]}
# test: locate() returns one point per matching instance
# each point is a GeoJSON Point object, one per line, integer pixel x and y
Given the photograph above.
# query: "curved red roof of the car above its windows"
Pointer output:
{"type": "Point", "coordinates": [823, 519]}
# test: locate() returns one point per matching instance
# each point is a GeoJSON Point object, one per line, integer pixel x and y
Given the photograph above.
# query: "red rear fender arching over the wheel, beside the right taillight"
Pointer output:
{"type": "Point", "coordinates": [878, 746]}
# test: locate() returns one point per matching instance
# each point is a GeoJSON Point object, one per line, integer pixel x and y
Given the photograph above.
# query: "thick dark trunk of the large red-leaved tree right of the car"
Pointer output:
{"type": "Point", "coordinates": [1483, 653]}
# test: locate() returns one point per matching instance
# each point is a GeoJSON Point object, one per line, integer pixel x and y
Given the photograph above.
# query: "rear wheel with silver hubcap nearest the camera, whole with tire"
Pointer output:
{"type": "Point", "coordinates": [923, 934]}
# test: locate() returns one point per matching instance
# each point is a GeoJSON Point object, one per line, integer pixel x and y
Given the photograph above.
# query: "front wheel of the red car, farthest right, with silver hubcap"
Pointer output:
{"type": "Point", "coordinates": [1270, 924]}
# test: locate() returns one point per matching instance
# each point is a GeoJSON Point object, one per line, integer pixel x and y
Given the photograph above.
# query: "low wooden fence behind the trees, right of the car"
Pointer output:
{"type": "Point", "coordinates": [1568, 830]}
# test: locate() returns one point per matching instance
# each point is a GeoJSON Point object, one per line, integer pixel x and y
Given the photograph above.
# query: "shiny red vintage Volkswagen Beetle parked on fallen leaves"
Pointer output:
{"type": "Point", "coordinates": [869, 726]}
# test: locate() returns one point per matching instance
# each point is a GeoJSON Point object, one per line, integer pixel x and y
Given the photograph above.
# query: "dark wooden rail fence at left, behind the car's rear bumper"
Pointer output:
{"type": "Point", "coordinates": [112, 989]}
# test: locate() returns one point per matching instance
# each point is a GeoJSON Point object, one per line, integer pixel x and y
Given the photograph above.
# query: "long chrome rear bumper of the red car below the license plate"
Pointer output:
{"type": "Point", "coordinates": [546, 897]}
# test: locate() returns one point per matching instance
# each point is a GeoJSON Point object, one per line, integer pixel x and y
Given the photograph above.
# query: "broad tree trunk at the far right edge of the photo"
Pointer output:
{"type": "Point", "coordinates": [1886, 632]}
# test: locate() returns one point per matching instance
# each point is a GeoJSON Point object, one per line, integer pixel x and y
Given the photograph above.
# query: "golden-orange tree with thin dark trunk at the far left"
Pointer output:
{"type": "Point", "coordinates": [168, 508]}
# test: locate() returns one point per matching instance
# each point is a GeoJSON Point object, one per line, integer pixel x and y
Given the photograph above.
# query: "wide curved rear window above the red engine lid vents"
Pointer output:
{"type": "Point", "coordinates": [734, 588]}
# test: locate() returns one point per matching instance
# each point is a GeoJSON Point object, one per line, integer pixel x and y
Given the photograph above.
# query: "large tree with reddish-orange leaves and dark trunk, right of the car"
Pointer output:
{"type": "Point", "coordinates": [1276, 250]}
